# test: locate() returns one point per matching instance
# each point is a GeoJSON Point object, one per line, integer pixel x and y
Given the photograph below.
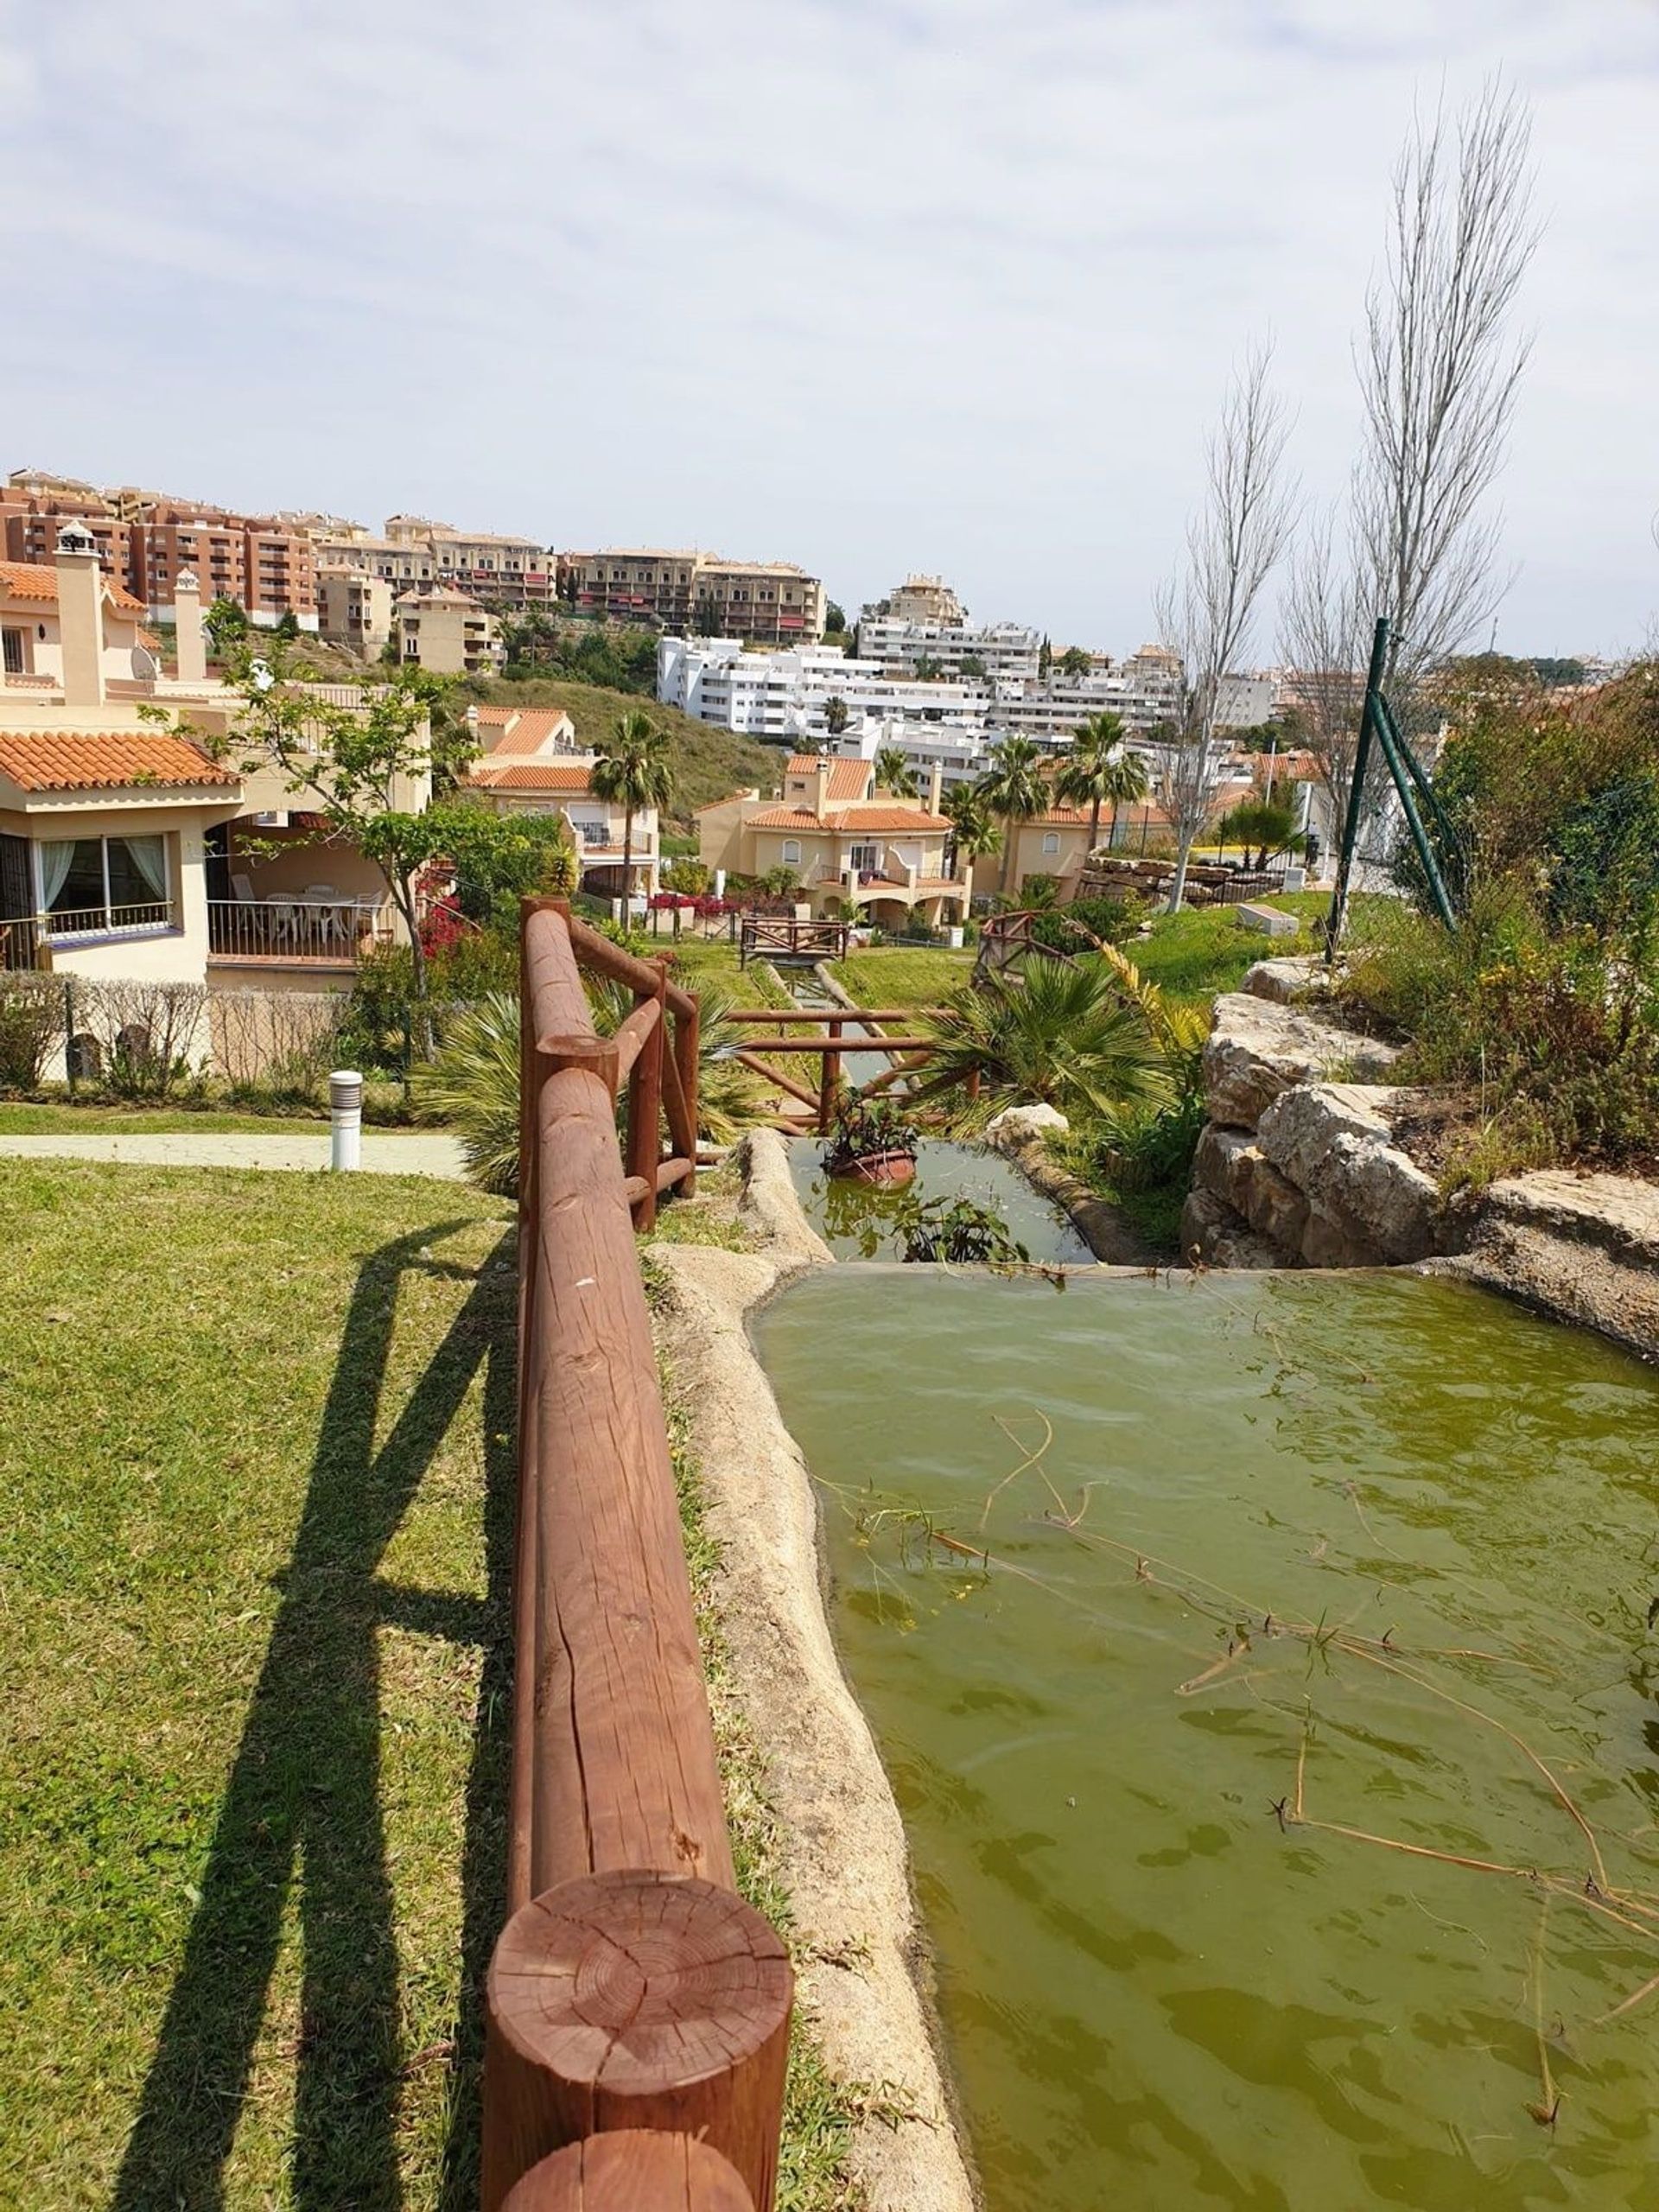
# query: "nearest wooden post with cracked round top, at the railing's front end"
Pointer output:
{"type": "Point", "coordinates": [638, 2001]}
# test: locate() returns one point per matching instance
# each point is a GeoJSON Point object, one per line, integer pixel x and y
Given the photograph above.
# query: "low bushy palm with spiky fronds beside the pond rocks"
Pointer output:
{"type": "Point", "coordinates": [1065, 1034]}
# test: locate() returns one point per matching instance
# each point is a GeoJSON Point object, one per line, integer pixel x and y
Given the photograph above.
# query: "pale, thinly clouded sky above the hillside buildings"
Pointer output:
{"type": "Point", "coordinates": [877, 286]}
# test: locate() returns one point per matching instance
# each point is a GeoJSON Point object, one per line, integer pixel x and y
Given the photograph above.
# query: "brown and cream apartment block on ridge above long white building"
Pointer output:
{"type": "Point", "coordinates": [766, 603]}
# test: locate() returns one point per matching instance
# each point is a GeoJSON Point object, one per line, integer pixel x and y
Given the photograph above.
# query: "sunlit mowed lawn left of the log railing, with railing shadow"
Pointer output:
{"type": "Point", "coordinates": [253, 1665]}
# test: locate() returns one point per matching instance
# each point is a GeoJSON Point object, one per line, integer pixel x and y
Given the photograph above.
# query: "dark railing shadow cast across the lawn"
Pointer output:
{"type": "Point", "coordinates": [304, 1797]}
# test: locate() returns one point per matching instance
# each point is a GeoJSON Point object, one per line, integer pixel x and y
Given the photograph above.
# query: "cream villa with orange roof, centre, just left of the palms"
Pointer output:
{"type": "Point", "coordinates": [848, 844]}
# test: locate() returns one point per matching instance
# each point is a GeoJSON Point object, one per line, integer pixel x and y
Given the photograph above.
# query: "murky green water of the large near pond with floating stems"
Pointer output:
{"type": "Point", "coordinates": [1381, 1530]}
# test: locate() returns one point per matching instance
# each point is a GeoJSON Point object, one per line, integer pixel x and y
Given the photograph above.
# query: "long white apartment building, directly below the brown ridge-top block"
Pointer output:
{"type": "Point", "coordinates": [784, 698]}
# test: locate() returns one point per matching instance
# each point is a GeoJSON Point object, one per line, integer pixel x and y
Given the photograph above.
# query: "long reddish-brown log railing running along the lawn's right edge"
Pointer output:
{"type": "Point", "coordinates": [638, 2010]}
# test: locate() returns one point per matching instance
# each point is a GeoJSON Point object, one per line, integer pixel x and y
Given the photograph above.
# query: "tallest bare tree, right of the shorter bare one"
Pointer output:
{"type": "Point", "coordinates": [1439, 368]}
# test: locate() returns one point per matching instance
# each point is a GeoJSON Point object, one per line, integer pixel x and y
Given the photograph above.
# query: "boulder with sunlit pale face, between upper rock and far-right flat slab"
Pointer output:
{"type": "Point", "coordinates": [1368, 1202]}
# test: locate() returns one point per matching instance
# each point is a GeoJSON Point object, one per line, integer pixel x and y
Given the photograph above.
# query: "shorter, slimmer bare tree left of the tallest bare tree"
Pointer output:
{"type": "Point", "coordinates": [1207, 609]}
